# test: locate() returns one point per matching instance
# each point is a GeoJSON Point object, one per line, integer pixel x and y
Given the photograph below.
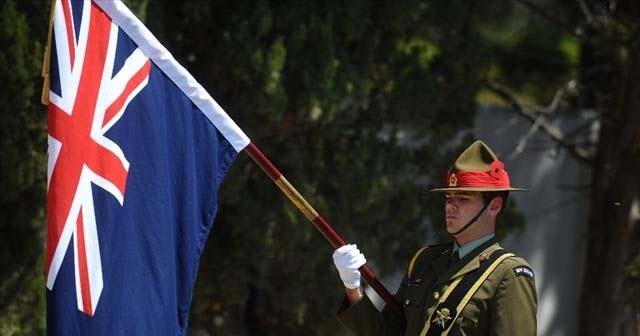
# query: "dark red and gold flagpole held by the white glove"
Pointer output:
{"type": "Point", "coordinates": [320, 223]}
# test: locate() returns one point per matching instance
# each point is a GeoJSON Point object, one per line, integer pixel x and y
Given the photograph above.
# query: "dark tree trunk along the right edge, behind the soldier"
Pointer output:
{"type": "Point", "coordinates": [610, 77]}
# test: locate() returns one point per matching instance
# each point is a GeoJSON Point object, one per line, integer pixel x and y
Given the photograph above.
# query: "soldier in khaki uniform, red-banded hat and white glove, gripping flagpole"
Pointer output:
{"type": "Point", "coordinates": [470, 286]}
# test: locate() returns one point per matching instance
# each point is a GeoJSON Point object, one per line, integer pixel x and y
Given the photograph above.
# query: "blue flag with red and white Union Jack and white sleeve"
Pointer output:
{"type": "Point", "coordinates": [137, 153]}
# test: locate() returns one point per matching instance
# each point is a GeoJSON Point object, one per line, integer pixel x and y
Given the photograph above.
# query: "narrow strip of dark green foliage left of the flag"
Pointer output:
{"type": "Point", "coordinates": [22, 167]}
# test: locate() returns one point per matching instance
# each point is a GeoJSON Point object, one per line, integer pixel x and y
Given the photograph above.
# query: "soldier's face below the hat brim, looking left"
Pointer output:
{"type": "Point", "coordinates": [461, 207]}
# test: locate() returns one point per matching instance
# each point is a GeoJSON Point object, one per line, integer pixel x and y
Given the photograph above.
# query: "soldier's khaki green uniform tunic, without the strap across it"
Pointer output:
{"type": "Point", "coordinates": [505, 303]}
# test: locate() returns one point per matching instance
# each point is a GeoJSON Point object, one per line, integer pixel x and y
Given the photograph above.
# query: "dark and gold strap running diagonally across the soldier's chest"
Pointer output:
{"type": "Point", "coordinates": [456, 297]}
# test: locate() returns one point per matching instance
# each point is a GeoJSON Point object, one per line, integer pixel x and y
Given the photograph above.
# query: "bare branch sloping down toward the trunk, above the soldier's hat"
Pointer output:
{"type": "Point", "coordinates": [539, 122]}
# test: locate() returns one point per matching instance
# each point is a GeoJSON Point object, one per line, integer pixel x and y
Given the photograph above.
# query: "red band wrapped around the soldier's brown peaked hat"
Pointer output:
{"type": "Point", "coordinates": [497, 177]}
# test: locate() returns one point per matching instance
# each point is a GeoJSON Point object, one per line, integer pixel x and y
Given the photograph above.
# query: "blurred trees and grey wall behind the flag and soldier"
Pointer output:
{"type": "Point", "coordinates": [363, 105]}
